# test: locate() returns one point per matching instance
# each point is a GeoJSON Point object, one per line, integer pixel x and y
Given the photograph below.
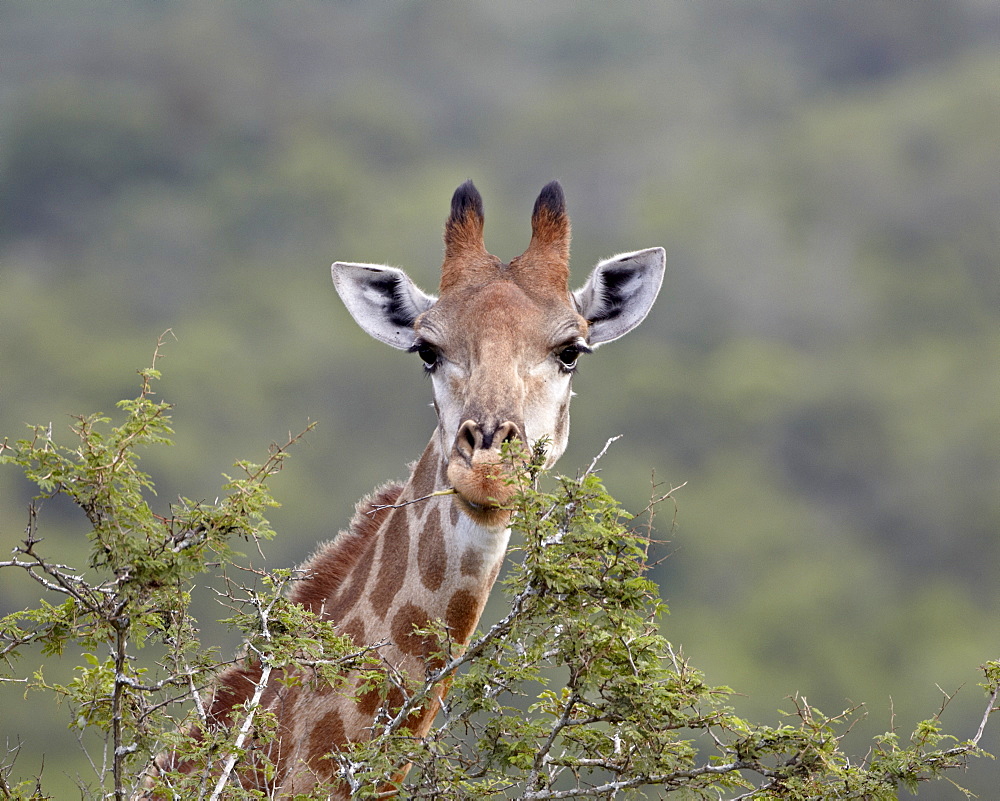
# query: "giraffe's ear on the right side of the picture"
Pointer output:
{"type": "Point", "coordinates": [620, 292]}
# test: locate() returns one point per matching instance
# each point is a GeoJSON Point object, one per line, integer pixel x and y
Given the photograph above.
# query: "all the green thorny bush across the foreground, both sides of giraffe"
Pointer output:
{"type": "Point", "coordinates": [574, 693]}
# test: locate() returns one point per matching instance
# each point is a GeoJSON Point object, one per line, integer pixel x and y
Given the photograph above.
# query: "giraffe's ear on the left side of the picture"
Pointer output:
{"type": "Point", "coordinates": [383, 300]}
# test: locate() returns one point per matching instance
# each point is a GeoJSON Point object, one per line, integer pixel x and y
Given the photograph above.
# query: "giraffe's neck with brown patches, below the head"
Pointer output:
{"type": "Point", "coordinates": [397, 570]}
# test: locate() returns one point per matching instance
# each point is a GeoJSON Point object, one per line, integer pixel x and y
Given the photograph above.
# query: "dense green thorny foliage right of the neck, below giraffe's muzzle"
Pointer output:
{"type": "Point", "coordinates": [575, 694]}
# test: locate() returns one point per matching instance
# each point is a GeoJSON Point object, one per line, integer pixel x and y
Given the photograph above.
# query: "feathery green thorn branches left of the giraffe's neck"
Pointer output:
{"type": "Point", "coordinates": [136, 592]}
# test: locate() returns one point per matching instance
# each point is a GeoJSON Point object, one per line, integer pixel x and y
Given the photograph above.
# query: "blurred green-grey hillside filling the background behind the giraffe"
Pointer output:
{"type": "Point", "coordinates": [822, 367]}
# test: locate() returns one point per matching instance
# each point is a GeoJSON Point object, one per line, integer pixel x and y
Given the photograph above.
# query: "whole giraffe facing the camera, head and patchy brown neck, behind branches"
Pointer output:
{"type": "Point", "coordinates": [500, 342]}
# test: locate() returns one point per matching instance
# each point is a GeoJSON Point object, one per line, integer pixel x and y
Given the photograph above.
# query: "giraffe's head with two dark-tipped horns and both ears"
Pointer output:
{"type": "Point", "coordinates": [501, 340]}
